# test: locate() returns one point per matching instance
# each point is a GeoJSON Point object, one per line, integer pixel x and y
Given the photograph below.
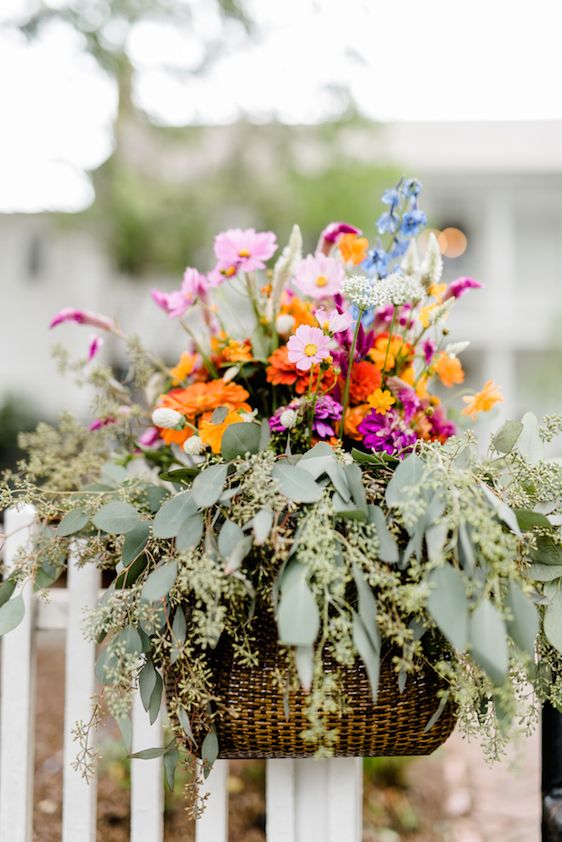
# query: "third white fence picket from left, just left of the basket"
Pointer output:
{"type": "Point", "coordinates": [147, 792]}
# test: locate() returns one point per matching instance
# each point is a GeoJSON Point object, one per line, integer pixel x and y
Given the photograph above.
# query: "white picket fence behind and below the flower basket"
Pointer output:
{"type": "Point", "coordinates": [307, 800]}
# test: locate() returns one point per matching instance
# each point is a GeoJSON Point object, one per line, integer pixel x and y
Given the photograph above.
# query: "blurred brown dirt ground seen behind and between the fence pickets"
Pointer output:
{"type": "Point", "coordinates": [449, 797]}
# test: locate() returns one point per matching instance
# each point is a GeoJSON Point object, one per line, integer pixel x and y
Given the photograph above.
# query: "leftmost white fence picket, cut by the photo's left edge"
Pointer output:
{"type": "Point", "coordinates": [17, 691]}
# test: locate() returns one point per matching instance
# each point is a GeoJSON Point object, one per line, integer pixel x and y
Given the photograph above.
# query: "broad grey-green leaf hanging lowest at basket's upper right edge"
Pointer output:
{"type": "Point", "coordinates": [488, 641]}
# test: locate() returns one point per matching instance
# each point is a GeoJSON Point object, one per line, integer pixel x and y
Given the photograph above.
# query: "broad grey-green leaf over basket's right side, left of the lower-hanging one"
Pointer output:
{"type": "Point", "coordinates": [448, 605]}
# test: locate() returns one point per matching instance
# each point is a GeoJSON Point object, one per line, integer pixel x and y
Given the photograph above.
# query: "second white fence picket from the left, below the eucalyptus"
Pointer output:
{"type": "Point", "coordinates": [79, 796]}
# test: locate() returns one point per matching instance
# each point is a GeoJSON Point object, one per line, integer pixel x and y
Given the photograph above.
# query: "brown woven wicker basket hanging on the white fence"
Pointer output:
{"type": "Point", "coordinates": [393, 726]}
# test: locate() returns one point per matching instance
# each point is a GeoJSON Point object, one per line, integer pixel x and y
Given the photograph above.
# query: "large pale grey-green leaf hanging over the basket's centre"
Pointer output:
{"type": "Point", "coordinates": [298, 618]}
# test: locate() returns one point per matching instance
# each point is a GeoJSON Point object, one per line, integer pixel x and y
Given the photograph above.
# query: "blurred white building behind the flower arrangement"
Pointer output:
{"type": "Point", "coordinates": [499, 183]}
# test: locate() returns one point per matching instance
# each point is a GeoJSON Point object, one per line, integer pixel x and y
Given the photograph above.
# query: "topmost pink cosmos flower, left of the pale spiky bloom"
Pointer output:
{"type": "Point", "coordinates": [245, 251]}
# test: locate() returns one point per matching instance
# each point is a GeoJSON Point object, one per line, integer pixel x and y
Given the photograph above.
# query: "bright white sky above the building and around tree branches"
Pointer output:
{"type": "Point", "coordinates": [408, 60]}
